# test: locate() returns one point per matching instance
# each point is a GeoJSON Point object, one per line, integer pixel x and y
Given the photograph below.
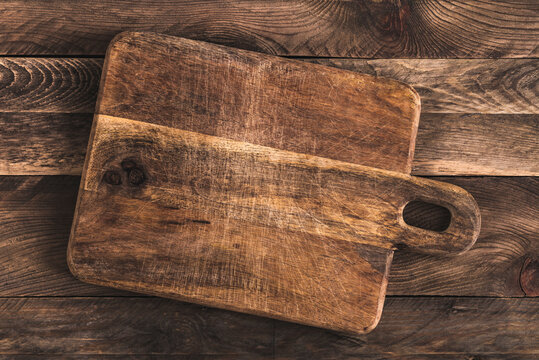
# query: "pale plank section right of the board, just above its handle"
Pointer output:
{"type": "Point", "coordinates": [477, 144]}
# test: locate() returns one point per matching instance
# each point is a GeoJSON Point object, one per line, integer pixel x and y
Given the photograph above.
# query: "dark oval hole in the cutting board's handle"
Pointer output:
{"type": "Point", "coordinates": [426, 216]}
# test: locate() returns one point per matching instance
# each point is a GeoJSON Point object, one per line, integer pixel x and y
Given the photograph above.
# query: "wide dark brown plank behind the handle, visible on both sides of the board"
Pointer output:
{"type": "Point", "coordinates": [38, 210]}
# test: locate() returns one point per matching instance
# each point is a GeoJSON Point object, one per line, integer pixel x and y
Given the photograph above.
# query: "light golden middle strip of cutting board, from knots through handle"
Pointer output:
{"type": "Point", "coordinates": [221, 178]}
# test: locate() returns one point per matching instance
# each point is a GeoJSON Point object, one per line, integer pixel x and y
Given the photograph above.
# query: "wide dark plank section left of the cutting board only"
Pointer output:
{"type": "Point", "coordinates": [36, 213]}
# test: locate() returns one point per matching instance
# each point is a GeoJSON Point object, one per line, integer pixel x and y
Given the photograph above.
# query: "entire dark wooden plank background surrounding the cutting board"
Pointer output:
{"type": "Point", "coordinates": [475, 64]}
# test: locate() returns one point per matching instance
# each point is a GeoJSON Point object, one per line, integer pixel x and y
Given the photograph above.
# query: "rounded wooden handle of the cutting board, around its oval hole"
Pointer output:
{"type": "Point", "coordinates": [464, 225]}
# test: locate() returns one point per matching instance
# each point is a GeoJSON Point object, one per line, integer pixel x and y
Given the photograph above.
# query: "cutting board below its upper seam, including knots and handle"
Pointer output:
{"type": "Point", "coordinates": [246, 227]}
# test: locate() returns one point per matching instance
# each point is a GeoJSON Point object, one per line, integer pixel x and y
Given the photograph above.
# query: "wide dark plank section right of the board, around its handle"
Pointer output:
{"type": "Point", "coordinates": [500, 261]}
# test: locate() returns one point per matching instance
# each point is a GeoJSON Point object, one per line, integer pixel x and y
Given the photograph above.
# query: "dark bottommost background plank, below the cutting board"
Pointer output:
{"type": "Point", "coordinates": [421, 327]}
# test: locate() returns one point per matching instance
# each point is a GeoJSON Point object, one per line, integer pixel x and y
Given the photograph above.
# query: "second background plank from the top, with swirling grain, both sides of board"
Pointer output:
{"type": "Point", "coordinates": [489, 86]}
